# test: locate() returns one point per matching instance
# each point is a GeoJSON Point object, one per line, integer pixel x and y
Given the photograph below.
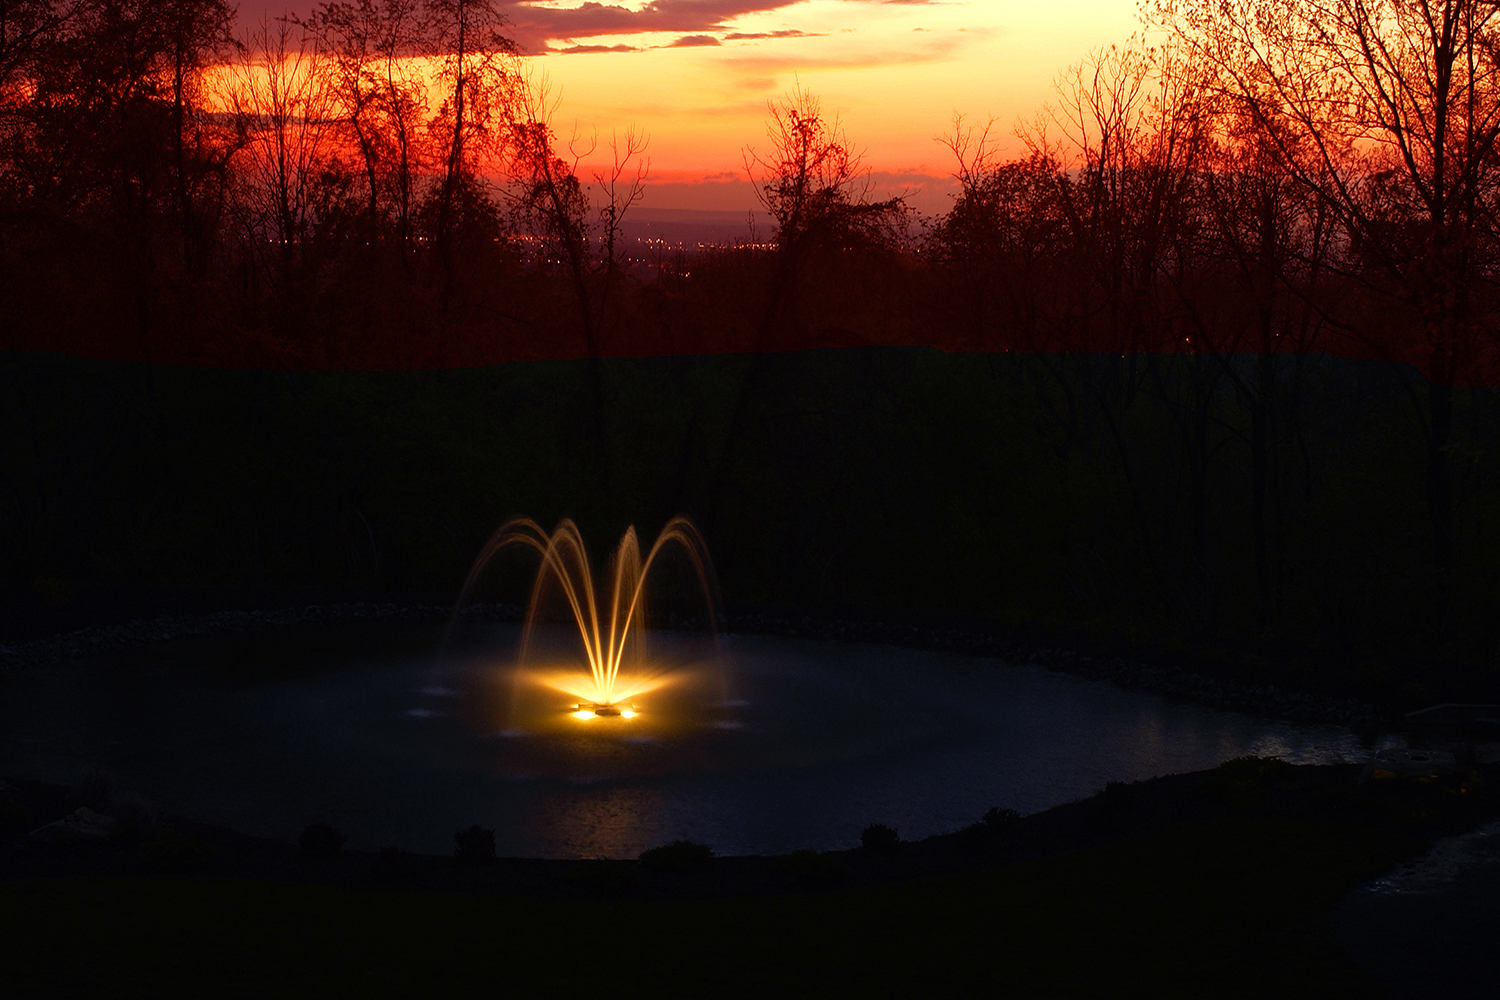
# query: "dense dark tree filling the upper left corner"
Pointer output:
{"type": "Point", "coordinates": [110, 134]}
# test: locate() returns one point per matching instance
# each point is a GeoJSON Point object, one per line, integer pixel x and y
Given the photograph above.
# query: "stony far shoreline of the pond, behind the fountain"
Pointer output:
{"type": "Point", "coordinates": [1133, 674]}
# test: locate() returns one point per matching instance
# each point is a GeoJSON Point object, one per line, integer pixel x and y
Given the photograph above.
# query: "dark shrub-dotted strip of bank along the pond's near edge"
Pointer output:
{"type": "Point", "coordinates": [91, 830]}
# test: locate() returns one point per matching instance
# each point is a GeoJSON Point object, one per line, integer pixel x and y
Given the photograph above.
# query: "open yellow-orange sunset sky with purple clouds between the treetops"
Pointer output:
{"type": "Point", "coordinates": [697, 77]}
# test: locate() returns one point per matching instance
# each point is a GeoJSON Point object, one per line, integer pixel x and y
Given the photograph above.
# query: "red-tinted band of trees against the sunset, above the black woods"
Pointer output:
{"type": "Point", "coordinates": [379, 187]}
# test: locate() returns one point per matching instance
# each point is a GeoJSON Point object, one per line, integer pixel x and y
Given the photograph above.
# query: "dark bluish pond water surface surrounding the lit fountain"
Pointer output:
{"type": "Point", "coordinates": [785, 744]}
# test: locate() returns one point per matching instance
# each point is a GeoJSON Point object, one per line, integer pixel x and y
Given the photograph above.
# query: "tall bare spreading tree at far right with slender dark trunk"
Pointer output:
{"type": "Point", "coordinates": [1388, 112]}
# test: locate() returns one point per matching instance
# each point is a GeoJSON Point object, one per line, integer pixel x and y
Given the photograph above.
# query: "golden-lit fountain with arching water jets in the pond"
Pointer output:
{"type": "Point", "coordinates": [610, 620]}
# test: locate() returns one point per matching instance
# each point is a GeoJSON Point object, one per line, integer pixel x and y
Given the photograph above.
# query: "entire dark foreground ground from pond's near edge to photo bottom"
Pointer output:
{"type": "Point", "coordinates": [1219, 884]}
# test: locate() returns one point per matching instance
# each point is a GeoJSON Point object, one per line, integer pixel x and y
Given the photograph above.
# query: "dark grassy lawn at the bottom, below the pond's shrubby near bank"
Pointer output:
{"type": "Point", "coordinates": [1222, 909]}
